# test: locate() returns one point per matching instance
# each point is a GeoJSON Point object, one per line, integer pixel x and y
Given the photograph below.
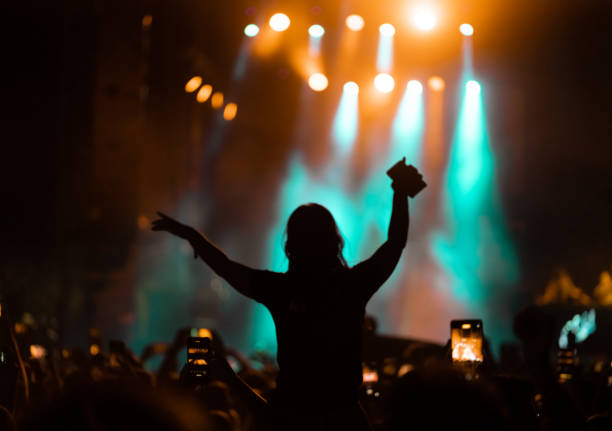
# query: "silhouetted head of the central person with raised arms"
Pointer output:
{"type": "Point", "coordinates": [313, 238]}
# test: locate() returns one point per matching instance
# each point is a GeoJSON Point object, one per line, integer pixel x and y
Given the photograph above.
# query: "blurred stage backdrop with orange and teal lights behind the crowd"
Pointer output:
{"type": "Point", "coordinates": [227, 117]}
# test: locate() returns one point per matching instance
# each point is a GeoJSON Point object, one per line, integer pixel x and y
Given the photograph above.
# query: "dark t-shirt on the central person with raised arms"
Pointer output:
{"type": "Point", "coordinates": [319, 322]}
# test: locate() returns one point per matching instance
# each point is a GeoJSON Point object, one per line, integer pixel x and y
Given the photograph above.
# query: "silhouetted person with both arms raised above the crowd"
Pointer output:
{"type": "Point", "coordinates": [318, 307]}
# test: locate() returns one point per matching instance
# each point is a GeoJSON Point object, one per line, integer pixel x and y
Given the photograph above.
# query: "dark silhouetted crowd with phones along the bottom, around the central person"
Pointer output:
{"type": "Point", "coordinates": [212, 387]}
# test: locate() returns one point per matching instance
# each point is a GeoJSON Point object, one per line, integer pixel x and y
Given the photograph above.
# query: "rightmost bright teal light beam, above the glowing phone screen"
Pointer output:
{"type": "Point", "coordinates": [475, 248]}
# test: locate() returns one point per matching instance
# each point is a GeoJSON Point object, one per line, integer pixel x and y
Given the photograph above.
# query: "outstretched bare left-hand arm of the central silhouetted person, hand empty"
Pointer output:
{"type": "Point", "coordinates": [242, 278]}
